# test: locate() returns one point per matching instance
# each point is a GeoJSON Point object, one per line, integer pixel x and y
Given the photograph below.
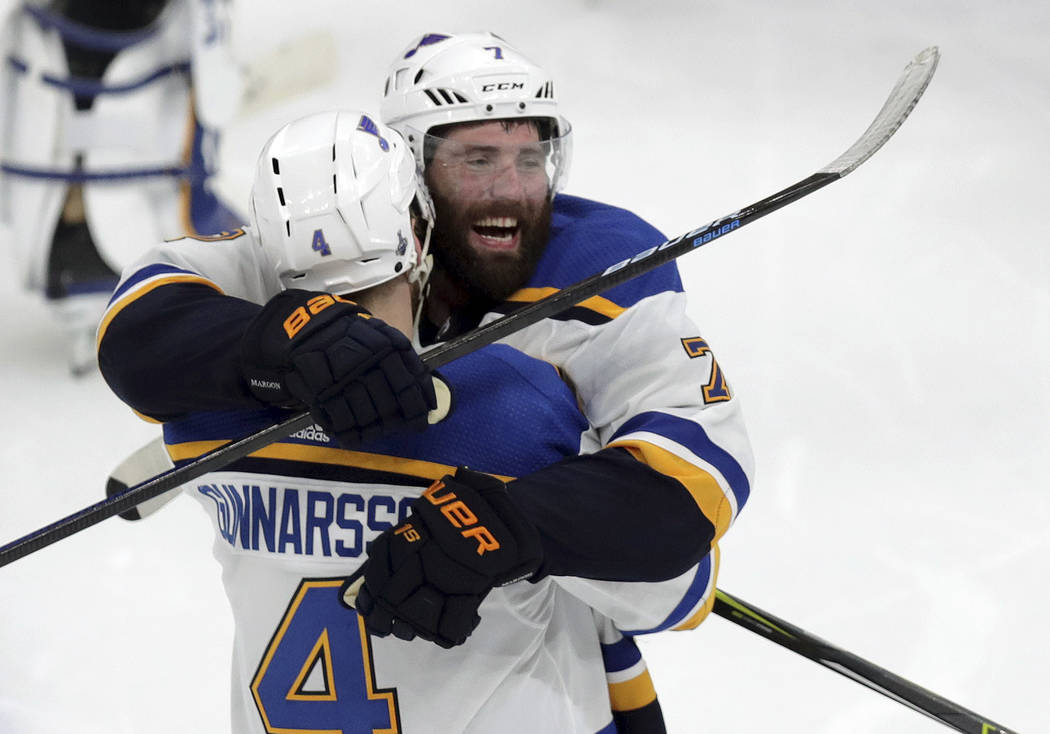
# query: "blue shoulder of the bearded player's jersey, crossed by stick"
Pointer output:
{"type": "Point", "coordinates": [589, 237]}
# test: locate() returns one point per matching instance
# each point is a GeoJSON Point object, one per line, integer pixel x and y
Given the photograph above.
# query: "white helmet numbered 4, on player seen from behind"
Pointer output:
{"type": "Point", "coordinates": [332, 203]}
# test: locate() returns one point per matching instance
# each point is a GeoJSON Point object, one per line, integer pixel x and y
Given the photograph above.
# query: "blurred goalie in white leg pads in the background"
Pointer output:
{"type": "Point", "coordinates": [102, 148]}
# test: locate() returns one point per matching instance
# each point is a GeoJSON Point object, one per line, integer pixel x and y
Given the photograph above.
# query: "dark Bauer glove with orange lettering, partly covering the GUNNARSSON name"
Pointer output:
{"type": "Point", "coordinates": [428, 577]}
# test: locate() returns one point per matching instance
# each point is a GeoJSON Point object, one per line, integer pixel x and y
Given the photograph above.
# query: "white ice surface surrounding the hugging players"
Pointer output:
{"type": "Point", "coordinates": [890, 338]}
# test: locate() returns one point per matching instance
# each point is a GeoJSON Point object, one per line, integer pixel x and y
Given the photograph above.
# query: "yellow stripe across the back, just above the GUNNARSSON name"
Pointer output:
{"type": "Point", "coordinates": [325, 455]}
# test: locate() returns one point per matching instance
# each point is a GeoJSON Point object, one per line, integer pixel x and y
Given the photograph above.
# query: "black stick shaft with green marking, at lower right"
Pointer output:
{"type": "Point", "coordinates": [786, 635]}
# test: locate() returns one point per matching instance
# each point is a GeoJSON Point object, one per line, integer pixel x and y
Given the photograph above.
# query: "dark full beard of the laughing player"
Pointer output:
{"type": "Point", "coordinates": [492, 276]}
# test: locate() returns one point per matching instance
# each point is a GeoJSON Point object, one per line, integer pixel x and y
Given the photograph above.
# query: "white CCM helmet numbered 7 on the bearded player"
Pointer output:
{"type": "Point", "coordinates": [444, 79]}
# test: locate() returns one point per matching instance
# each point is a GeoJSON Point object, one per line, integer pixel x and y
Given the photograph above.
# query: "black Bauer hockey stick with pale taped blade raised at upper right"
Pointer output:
{"type": "Point", "coordinates": [900, 103]}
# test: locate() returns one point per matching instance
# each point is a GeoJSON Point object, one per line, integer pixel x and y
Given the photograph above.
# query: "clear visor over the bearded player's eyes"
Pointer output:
{"type": "Point", "coordinates": [481, 162]}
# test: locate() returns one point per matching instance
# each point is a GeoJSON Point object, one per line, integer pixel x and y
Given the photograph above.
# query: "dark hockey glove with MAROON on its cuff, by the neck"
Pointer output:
{"type": "Point", "coordinates": [359, 376]}
